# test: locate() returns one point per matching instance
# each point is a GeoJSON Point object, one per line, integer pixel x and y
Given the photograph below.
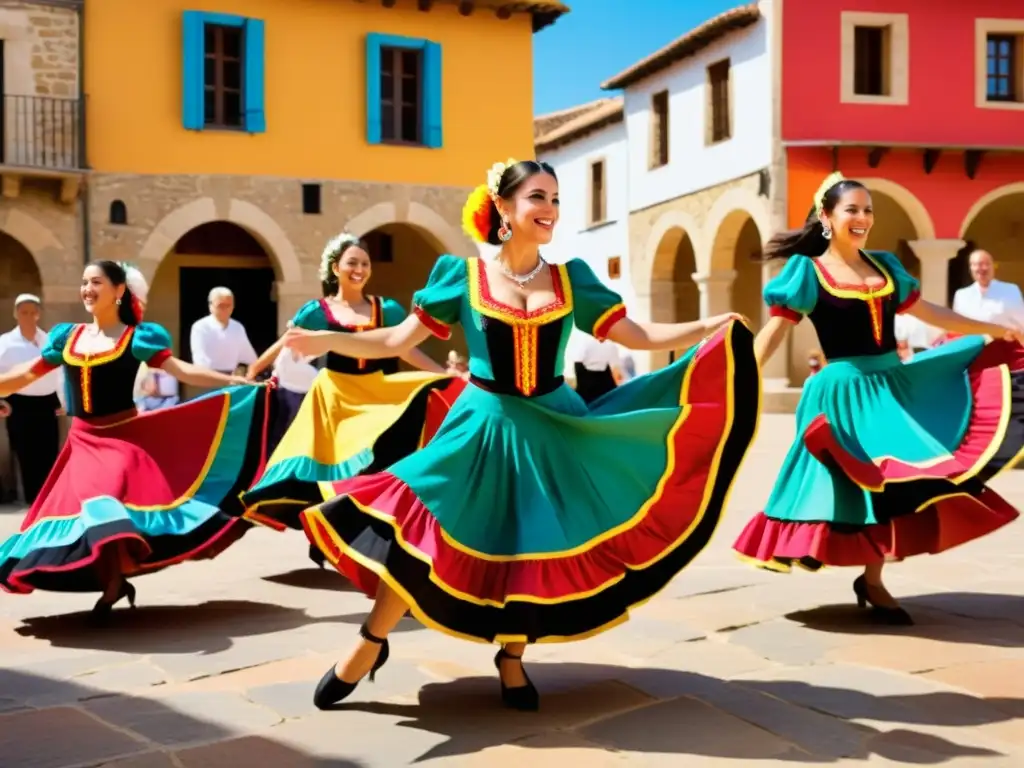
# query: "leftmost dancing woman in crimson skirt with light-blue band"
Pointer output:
{"type": "Point", "coordinates": [131, 494]}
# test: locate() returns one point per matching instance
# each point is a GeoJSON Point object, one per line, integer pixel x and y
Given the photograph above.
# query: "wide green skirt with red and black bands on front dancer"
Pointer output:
{"type": "Point", "coordinates": [544, 520]}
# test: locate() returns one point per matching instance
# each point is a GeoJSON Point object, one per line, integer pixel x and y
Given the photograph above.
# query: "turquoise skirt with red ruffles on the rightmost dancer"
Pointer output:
{"type": "Point", "coordinates": [892, 458]}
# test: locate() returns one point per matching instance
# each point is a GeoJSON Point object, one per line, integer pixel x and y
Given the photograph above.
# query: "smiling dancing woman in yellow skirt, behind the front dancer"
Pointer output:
{"type": "Point", "coordinates": [360, 412]}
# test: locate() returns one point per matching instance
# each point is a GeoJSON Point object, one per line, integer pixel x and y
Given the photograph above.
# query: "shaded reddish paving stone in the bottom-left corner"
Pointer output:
{"type": "Point", "coordinates": [61, 737]}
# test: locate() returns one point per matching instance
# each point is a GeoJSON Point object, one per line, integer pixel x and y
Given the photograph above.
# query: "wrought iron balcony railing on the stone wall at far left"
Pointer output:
{"type": "Point", "coordinates": [44, 133]}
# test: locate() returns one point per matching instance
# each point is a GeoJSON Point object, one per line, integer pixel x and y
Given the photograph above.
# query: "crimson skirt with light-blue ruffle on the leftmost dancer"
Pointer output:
{"type": "Point", "coordinates": [165, 485]}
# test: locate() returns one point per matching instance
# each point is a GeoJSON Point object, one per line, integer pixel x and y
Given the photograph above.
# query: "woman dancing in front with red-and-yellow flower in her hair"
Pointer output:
{"type": "Point", "coordinates": [531, 518]}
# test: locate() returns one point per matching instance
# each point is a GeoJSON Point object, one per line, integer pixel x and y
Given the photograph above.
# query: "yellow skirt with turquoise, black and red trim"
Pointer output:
{"type": "Point", "coordinates": [347, 425]}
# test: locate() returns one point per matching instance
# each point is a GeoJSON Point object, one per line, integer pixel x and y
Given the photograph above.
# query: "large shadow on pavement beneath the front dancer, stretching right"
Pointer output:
{"type": "Point", "coordinates": [664, 711]}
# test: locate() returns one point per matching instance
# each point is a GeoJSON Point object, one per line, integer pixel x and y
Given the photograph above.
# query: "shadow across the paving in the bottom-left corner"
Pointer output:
{"type": "Point", "coordinates": [91, 728]}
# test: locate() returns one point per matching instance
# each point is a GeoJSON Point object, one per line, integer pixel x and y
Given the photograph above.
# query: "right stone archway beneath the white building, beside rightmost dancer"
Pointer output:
{"type": "Point", "coordinates": [738, 249]}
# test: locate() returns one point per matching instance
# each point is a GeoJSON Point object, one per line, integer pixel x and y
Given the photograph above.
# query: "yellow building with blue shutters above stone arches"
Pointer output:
{"type": "Point", "coordinates": [224, 142]}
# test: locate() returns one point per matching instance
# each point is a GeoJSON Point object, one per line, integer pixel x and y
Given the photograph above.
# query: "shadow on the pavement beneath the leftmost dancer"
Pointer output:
{"type": "Point", "coordinates": [207, 628]}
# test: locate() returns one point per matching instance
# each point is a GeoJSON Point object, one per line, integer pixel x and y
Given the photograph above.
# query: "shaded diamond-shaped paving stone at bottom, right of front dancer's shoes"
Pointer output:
{"type": "Point", "coordinates": [682, 729]}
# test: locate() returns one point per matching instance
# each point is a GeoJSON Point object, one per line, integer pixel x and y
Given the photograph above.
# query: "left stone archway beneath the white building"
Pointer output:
{"type": "Point", "coordinates": [674, 295]}
